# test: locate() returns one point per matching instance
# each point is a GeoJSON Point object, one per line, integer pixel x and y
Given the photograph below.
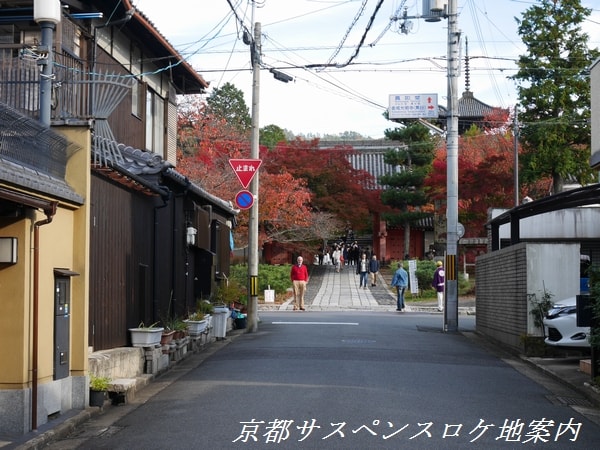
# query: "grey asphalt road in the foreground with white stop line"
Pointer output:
{"type": "Point", "coordinates": [346, 380]}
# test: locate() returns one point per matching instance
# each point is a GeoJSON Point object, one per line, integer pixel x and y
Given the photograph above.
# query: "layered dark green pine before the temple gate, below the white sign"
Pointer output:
{"type": "Point", "coordinates": [405, 189]}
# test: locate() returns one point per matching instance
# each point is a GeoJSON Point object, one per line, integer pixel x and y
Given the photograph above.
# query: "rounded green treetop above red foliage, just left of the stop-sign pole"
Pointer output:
{"type": "Point", "coordinates": [228, 103]}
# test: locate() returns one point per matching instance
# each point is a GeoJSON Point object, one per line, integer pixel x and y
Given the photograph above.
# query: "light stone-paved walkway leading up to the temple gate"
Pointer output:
{"type": "Point", "coordinates": [331, 290]}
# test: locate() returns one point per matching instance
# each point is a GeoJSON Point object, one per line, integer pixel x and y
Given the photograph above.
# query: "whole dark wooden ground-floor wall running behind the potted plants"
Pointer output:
{"type": "Point", "coordinates": [141, 268]}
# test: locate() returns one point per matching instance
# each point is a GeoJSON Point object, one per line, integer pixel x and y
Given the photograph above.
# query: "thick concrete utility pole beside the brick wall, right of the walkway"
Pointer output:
{"type": "Point", "coordinates": [451, 297]}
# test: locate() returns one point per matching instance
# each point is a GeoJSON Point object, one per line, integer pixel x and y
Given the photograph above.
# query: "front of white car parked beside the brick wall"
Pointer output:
{"type": "Point", "coordinates": [560, 325]}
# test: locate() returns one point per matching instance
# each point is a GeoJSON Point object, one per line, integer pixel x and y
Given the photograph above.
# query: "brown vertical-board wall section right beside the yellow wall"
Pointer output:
{"type": "Point", "coordinates": [121, 262]}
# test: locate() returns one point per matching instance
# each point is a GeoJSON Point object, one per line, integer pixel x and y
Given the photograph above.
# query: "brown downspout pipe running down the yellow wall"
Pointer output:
{"type": "Point", "coordinates": [50, 213]}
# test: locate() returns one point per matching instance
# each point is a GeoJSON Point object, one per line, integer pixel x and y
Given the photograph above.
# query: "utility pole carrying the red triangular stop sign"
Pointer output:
{"type": "Point", "coordinates": [252, 318]}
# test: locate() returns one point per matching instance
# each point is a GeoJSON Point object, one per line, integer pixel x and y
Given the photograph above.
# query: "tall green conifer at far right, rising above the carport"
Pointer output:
{"type": "Point", "coordinates": [554, 92]}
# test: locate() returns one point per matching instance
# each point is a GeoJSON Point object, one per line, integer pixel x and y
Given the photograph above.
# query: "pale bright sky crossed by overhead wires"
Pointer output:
{"type": "Point", "coordinates": [353, 95]}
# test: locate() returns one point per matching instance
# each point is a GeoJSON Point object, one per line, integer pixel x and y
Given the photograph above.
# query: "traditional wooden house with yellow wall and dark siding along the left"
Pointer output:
{"type": "Point", "coordinates": [98, 230]}
